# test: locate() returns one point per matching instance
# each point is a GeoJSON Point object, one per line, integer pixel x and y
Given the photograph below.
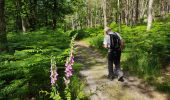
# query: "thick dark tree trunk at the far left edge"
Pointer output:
{"type": "Point", "coordinates": [3, 37]}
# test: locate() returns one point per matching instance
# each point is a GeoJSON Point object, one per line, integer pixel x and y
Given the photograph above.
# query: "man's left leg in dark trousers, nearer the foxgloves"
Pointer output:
{"type": "Point", "coordinates": [110, 64]}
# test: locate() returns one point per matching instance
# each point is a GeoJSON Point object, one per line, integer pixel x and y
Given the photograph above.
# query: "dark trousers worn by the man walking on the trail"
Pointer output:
{"type": "Point", "coordinates": [113, 57]}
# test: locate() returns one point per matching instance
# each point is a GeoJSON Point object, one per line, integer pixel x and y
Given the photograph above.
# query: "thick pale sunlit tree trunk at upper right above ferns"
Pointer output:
{"type": "Point", "coordinates": [150, 17]}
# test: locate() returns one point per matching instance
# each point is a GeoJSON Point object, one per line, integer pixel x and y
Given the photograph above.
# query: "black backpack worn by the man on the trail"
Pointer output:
{"type": "Point", "coordinates": [115, 42]}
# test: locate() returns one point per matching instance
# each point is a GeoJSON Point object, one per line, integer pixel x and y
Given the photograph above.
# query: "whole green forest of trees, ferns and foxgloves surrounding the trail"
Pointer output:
{"type": "Point", "coordinates": [37, 34]}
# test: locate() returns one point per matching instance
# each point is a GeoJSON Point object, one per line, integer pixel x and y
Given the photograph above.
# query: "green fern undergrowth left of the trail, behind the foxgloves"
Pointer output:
{"type": "Point", "coordinates": [25, 70]}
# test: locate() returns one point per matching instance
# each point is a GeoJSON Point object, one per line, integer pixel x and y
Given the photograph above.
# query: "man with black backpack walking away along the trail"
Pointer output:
{"type": "Point", "coordinates": [114, 43]}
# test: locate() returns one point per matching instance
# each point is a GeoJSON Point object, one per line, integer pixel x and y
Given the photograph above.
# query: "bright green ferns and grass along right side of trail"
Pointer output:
{"type": "Point", "coordinates": [146, 51]}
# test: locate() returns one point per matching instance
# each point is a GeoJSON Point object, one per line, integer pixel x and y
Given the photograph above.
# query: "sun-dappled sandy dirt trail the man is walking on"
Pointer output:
{"type": "Point", "coordinates": [100, 88]}
